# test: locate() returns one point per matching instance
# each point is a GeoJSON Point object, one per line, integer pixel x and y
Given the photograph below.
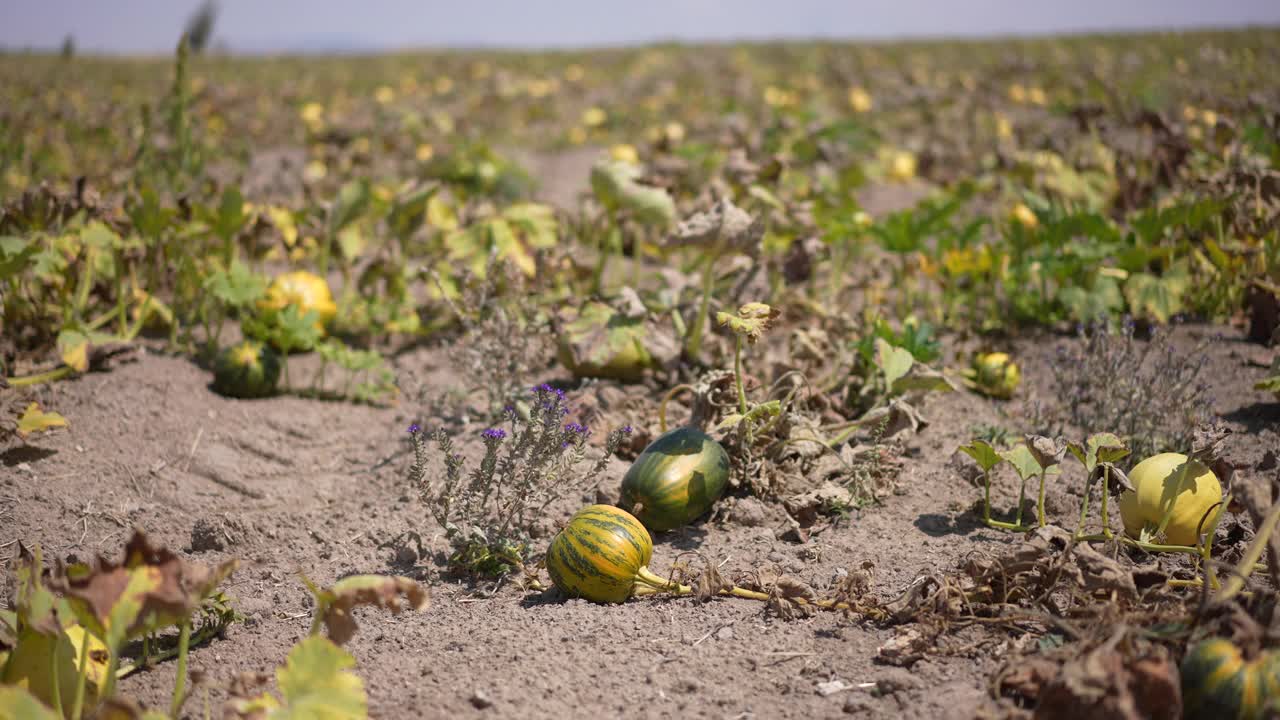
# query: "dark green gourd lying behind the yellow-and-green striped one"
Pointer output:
{"type": "Point", "coordinates": [676, 480]}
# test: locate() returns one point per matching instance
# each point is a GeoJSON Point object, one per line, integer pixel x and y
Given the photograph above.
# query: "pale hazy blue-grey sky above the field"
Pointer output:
{"type": "Point", "coordinates": [153, 26]}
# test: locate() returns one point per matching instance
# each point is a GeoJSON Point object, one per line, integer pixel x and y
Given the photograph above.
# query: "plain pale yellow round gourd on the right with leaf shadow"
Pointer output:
{"type": "Point", "coordinates": [1168, 481]}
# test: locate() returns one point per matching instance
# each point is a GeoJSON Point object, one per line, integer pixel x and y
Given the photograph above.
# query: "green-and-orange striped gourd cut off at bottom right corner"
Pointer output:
{"type": "Point", "coordinates": [1220, 685]}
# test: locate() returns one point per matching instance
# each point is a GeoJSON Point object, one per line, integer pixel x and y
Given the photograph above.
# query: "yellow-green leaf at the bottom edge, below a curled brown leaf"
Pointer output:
{"type": "Point", "coordinates": [317, 683]}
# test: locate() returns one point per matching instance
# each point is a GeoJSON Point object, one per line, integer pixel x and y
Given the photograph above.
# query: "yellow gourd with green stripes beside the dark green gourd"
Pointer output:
{"type": "Point", "coordinates": [600, 555]}
